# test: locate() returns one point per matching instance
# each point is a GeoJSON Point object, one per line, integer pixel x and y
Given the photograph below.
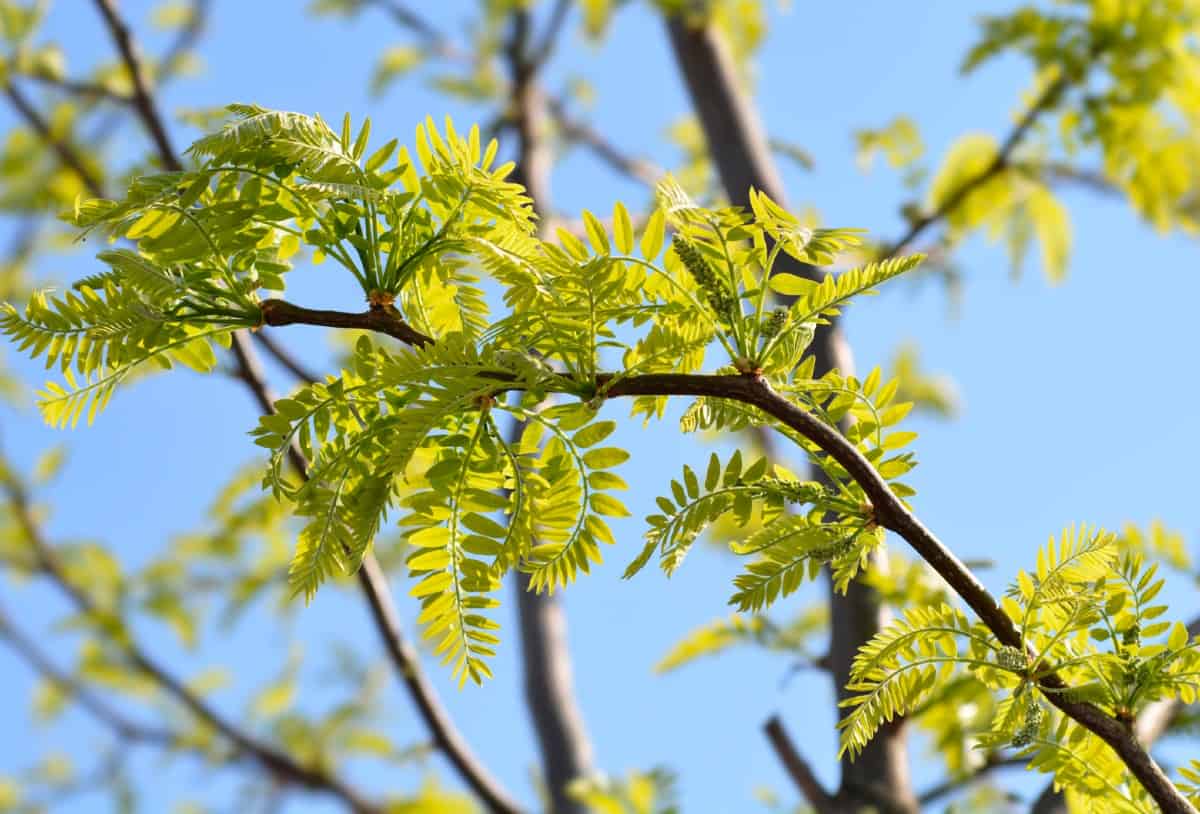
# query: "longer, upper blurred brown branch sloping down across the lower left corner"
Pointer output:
{"type": "Point", "coordinates": [275, 762]}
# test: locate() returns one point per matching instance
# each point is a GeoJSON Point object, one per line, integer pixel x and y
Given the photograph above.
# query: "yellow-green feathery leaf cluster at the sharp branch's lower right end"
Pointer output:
{"type": "Point", "coordinates": [1085, 614]}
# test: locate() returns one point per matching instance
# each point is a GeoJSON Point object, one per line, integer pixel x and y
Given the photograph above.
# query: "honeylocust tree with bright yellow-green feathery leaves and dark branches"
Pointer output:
{"type": "Point", "coordinates": [485, 313]}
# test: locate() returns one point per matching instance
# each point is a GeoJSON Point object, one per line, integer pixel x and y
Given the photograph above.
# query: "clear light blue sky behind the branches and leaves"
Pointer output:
{"type": "Point", "coordinates": [1079, 399]}
